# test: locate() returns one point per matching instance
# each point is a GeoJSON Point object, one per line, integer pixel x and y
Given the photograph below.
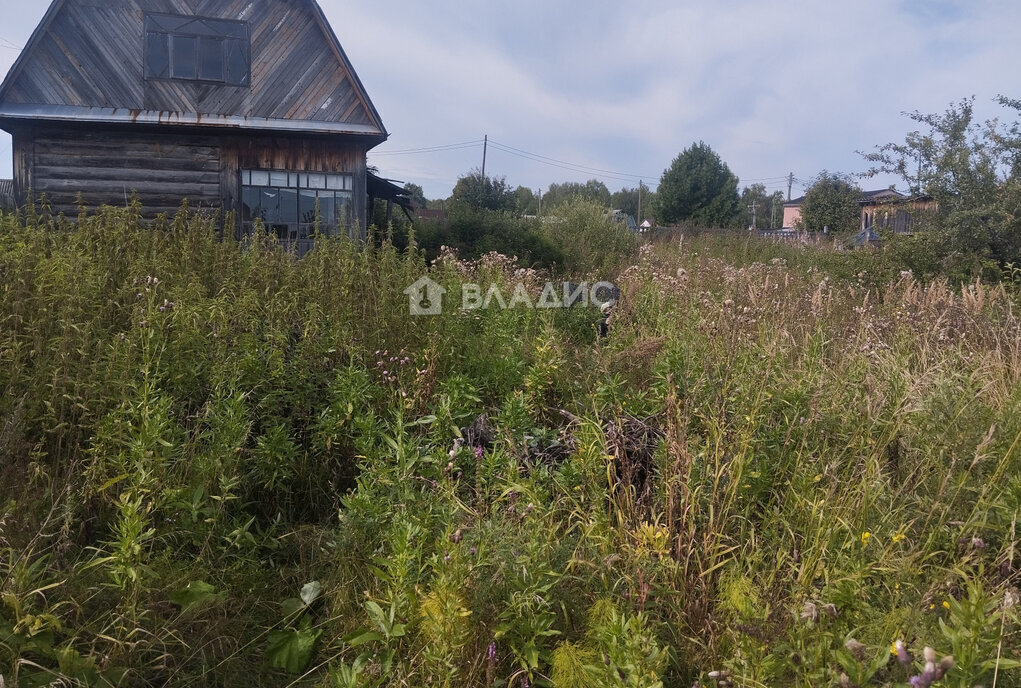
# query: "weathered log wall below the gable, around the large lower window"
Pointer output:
{"type": "Point", "coordinates": [107, 166]}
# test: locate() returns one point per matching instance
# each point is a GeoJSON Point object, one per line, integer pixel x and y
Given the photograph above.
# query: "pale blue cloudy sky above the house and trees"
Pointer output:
{"type": "Point", "coordinates": [610, 90]}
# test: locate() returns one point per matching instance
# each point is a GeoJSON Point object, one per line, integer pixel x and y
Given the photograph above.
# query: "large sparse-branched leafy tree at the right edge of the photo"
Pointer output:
{"type": "Point", "coordinates": [974, 173]}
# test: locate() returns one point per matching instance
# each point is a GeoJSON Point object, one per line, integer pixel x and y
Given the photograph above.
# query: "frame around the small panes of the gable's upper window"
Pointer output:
{"type": "Point", "coordinates": [233, 34]}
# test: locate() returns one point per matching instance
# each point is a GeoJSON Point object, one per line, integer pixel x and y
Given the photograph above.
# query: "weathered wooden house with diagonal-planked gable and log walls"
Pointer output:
{"type": "Point", "coordinates": [246, 107]}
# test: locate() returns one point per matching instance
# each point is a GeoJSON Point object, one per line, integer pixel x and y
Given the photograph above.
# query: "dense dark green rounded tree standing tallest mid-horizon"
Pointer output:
{"type": "Point", "coordinates": [698, 188]}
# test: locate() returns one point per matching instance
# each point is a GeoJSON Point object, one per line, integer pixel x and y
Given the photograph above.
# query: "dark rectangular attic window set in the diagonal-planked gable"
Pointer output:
{"type": "Point", "coordinates": [195, 48]}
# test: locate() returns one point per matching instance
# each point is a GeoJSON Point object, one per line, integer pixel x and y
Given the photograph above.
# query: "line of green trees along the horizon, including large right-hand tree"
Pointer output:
{"type": "Point", "coordinates": [968, 173]}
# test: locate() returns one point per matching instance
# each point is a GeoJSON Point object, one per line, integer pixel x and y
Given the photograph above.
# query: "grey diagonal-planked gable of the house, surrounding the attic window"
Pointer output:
{"type": "Point", "coordinates": [84, 63]}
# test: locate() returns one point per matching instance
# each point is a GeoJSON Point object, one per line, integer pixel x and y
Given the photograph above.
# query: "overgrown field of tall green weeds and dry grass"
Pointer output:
{"type": "Point", "coordinates": [223, 466]}
